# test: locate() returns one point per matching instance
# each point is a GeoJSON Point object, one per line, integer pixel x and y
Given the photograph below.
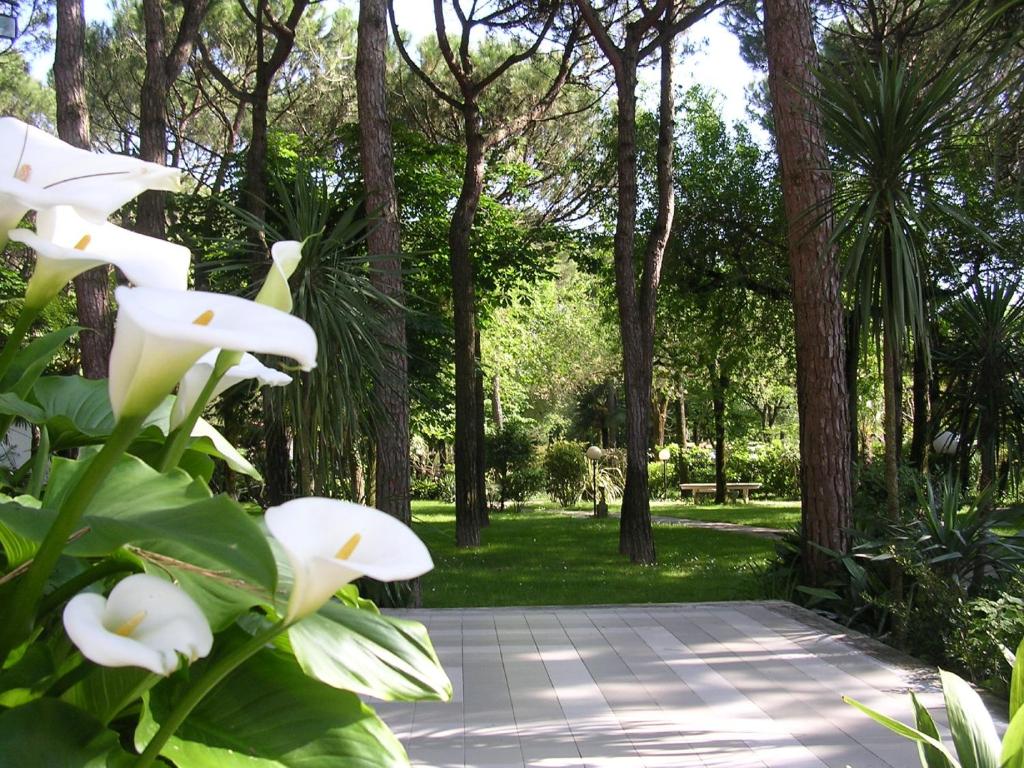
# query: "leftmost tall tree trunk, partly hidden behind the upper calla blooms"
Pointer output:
{"type": "Point", "coordinates": [93, 287]}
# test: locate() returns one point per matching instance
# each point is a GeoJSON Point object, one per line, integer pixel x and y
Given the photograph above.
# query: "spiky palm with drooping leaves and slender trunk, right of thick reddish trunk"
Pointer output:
{"type": "Point", "coordinates": [890, 125]}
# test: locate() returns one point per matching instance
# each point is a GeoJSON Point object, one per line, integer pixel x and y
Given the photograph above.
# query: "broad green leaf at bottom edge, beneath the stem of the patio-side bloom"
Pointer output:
{"type": "Point", "coordinates": [268, 714]}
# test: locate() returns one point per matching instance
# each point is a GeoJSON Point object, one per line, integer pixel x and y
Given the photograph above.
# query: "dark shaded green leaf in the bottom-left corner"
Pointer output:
{"type": "Point", "coordinates": [50, 734]}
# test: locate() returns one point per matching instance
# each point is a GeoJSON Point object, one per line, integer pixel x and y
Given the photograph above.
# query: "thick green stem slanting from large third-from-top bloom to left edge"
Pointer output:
{"type": "Point", "coordinates": [27, 598]}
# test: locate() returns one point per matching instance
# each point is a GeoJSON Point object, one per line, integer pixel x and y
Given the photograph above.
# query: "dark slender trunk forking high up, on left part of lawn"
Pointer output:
{"type": "Point", "coordinates": [467, 502]}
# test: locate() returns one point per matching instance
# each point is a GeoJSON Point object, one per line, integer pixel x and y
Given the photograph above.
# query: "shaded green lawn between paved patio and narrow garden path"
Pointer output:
{"type": "Point", "coordinates": [545, 559]}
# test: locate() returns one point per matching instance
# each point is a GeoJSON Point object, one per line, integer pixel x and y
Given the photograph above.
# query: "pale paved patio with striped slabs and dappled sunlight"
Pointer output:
{"type": "Point", "coordinates": [735, 686]}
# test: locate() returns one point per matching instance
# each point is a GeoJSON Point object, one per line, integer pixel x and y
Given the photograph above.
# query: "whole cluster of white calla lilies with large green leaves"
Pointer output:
{"type": "Point", "coordinates": [144, 617]}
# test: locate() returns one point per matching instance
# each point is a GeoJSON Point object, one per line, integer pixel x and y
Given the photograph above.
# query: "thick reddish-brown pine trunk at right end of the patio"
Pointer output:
{"type": "Point", "coordinates": [822, 392]}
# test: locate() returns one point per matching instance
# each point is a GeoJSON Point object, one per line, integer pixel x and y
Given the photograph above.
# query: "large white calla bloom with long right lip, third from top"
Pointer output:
{"type": "Point", "coordinates": [160, 334]}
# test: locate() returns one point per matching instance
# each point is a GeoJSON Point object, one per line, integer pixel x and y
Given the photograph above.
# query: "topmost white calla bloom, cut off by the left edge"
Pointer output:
{"type": "Point", "coordinates": [39, 172]}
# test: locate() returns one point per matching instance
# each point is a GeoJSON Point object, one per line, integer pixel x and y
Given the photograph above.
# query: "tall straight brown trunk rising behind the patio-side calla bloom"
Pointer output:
{"type": "Point", "coordinates": [385, 243]}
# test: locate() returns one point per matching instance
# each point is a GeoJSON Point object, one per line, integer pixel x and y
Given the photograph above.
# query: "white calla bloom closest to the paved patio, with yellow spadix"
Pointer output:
{"type": "Point", "coordinates": [330, 543]}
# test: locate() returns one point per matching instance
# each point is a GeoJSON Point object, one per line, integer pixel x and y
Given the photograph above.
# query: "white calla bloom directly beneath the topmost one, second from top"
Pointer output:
{"type": "Point", "coordinates": [67, 245]}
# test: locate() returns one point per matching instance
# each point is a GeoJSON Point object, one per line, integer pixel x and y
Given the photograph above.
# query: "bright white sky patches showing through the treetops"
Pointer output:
{"type": "Point", "coordinates": [717, 65]}
